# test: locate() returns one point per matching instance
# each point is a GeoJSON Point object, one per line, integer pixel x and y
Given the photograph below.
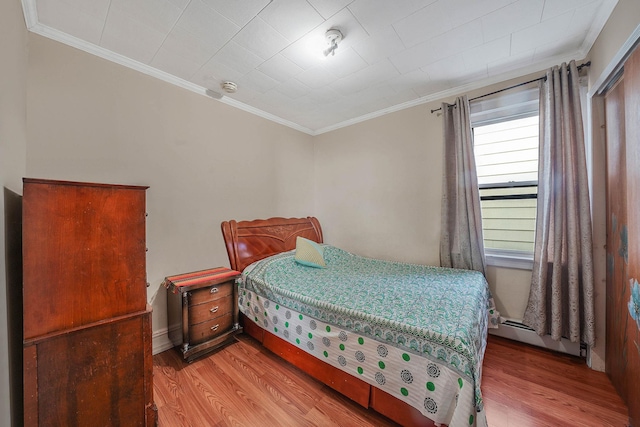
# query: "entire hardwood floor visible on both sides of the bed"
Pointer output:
{"type": "Point", "coordinates": [247, 385]}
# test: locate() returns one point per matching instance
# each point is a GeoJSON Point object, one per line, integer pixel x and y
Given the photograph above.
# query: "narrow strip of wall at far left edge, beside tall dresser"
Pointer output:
{"type": "Point", "coordinates": [13, 143]}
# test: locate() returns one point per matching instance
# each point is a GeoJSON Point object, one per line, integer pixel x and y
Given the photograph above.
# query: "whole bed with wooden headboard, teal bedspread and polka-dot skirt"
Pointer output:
{"type": "Point", "coordinates": [405, 340]}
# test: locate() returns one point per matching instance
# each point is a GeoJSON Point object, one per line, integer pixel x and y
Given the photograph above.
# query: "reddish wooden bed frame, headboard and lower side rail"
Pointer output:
{"type": "Point", "coordinates": [250, 241]}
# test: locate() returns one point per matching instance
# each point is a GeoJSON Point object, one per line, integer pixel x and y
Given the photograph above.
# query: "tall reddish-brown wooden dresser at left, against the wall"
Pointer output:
{"type": "Point", "coordinates": [87, 324]}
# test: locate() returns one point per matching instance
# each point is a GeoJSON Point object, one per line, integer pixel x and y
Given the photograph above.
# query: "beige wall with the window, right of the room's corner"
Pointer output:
{"type": "Point", "coordinates": [378, 190]}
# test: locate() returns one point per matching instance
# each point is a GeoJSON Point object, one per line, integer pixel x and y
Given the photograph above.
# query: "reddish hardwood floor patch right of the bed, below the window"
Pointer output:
{"type": "Point", "coordinates": [525, 386]}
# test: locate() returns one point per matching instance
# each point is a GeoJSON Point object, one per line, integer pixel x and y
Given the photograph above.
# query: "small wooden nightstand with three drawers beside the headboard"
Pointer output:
{"type": "Point", "coordinates": [203, 310]}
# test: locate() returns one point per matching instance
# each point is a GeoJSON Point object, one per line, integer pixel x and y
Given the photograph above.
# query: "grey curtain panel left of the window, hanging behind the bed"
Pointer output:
{"type": "Point", "coordinates": [461, 244]}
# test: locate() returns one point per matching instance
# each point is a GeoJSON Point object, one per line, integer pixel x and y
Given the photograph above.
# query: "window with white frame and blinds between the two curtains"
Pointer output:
{"type": "Point", "coordinates": [506, 153]}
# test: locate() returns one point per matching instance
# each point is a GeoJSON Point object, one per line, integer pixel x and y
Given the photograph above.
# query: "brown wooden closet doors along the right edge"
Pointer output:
{"type": "Point", "coordinates": [622, 110]}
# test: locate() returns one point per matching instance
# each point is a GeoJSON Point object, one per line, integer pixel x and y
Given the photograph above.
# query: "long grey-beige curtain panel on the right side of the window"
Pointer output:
{"type": "Point", "coordinates": [561, 301]}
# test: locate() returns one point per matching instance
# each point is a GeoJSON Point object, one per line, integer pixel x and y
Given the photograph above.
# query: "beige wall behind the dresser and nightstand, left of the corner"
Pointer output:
{"type": "Point", "coordinates": [205, 162]}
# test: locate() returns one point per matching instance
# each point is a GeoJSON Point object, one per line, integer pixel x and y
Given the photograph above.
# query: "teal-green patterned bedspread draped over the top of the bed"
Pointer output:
{"type": "Point", "coordinates": [438, 313]}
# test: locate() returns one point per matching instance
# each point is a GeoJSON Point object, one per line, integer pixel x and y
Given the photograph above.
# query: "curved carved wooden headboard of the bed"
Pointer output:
{"type": "Point", "coordinates": [250, 241]}
